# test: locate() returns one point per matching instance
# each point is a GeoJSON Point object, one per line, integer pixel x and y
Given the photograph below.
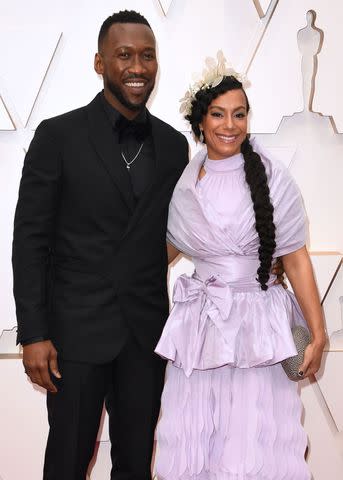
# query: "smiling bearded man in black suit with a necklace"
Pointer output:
{"type": "Point", "coordinates": [90, 261]}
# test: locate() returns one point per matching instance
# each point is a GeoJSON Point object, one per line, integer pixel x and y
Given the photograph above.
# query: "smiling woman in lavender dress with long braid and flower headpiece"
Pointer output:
{"type": "Point", "coordinates": [229, 412]}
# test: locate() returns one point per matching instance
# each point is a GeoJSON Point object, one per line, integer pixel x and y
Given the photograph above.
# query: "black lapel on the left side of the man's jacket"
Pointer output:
{"type": "Point", "coordinates": [102, 138]}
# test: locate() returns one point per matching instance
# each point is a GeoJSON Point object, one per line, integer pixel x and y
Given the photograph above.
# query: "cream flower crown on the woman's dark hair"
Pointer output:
{"type": "Point", "coordinates": [212, 76]}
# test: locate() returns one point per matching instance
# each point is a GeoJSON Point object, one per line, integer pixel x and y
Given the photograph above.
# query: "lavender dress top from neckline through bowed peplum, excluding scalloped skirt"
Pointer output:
{"type": "Point", "coordinates": [220, 314]}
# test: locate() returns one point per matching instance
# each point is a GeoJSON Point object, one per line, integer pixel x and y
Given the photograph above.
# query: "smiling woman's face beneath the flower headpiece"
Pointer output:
{"type": "Point", "coordinates": [225, 125]}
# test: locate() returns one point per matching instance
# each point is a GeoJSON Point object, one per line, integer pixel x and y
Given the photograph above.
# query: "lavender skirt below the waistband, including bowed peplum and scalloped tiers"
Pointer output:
{"type": "Point", "coordinates": [228, 411]}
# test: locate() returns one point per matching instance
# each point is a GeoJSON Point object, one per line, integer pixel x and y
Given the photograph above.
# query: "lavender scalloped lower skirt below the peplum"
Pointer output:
{"type": "Point", "coordinates": [230, 424]}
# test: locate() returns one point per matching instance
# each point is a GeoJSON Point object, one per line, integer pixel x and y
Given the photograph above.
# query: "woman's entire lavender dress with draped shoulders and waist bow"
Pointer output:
{"type": "Point", "coordinates": [229, 412]}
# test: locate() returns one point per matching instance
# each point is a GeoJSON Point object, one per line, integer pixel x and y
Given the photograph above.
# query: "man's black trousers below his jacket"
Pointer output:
{"type": "Point", "coordinates": [131, 386]}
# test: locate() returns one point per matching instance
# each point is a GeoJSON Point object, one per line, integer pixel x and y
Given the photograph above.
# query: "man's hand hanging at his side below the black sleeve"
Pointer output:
{"type": "Point", "coordinates": [39, 360]}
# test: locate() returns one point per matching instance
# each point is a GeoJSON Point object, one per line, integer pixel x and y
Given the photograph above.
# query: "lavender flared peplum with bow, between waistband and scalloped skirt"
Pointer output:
{"type": "Point", "coordinates": [213, 324]}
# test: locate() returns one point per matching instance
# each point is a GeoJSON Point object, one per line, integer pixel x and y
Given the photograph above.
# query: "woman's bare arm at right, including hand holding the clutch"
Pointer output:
{"type": "Point", "coordinates": [298, 268]}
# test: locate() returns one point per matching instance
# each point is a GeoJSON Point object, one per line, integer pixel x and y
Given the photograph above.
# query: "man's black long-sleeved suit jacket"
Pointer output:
{"type": "Point", "coordinates": [89, 263]}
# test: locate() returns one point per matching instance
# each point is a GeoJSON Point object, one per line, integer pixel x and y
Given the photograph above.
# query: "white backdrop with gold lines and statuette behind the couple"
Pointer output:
{"type": "Point", "coordinates": [294, 64]}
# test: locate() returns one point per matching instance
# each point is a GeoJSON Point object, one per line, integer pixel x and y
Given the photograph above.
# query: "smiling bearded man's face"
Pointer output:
{"type": "Point", "coordinates": [128, 65]}
